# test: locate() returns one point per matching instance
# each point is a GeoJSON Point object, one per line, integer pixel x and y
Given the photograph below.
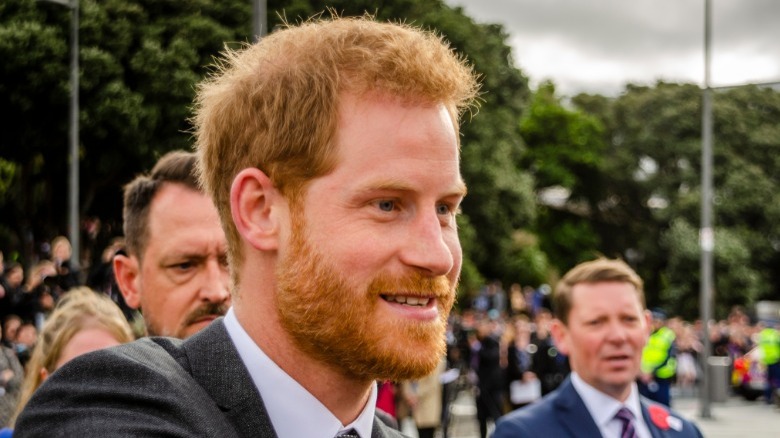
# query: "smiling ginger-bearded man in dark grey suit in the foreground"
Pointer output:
{"type": "Point", "coordinates": [331, 152]}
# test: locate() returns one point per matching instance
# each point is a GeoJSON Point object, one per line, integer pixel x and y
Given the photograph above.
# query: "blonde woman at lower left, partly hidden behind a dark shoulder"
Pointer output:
{"type": "Point", "coordinates": [83, 321]}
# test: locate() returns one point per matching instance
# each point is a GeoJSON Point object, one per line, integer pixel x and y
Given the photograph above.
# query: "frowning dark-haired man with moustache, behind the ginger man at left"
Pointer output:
{"type": "Point", "coordinates": [175, 266]}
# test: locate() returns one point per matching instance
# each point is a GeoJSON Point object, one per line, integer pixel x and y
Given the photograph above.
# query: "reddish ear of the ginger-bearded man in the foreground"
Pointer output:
{"type": "Point", "coordinates": [257, 206]}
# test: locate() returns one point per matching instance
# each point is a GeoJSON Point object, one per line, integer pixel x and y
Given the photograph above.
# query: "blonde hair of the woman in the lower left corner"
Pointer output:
{"type": "Point", "coordinates": [80, 308]}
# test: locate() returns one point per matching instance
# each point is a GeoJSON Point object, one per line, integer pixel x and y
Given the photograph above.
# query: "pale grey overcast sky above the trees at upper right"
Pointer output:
{"type": "Point", "coordinates": [598, 46]}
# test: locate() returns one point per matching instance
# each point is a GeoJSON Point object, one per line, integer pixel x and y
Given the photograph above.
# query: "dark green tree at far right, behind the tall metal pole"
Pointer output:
{"type": "Point", "coordinates": [653, 195]}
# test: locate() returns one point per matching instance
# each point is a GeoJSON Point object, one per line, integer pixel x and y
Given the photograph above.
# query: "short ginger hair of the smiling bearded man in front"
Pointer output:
{"type": "Point", "coordinates": [274, 105]}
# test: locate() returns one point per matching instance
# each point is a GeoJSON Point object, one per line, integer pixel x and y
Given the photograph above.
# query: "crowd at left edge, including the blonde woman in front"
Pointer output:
{"type": "Point", "coordinates": [51, 312]}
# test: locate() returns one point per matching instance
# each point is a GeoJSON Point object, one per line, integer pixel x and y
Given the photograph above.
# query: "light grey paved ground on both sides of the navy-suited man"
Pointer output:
{"type": "Point", "coordinates": [733, 418]}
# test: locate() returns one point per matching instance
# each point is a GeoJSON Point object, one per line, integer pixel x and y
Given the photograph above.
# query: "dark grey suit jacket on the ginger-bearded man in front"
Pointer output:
{"type": "Point", "coordinates": [155, 387]}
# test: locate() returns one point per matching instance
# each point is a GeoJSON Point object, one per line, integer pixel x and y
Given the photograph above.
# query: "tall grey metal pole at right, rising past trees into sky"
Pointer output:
{"type": "Point", "coordinates": [706, 233]}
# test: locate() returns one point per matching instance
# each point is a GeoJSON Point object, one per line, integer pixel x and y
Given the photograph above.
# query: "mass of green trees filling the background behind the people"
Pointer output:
{"type": "Point", "coordinates": [625, 169]}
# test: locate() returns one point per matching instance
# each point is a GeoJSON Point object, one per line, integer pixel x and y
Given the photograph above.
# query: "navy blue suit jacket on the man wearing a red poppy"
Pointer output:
{"type": "Point", "coordinates": [562, 413]}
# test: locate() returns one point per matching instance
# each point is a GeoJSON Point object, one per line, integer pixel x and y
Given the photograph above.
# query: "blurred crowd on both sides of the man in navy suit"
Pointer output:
{"type": "Point", "coordinates": [500, 348]}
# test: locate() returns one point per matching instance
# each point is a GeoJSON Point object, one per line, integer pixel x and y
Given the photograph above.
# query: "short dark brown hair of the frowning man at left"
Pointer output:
{"type": "Point", "coordinates": [177, 167]}
